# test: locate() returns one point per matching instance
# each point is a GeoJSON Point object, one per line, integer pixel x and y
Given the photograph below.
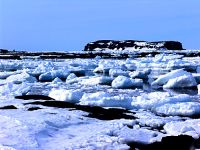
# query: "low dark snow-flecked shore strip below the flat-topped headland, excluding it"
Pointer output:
{"type": "Point", "coordinates": [19, 55]}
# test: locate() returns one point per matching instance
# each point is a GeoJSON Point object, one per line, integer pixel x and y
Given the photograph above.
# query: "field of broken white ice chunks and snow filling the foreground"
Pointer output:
{"type": "Point", "coordinates": [98, 103]}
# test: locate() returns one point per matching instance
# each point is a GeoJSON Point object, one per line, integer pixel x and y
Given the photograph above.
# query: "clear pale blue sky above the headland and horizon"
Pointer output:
{"type": "Point", "coordinates": [50, 25]}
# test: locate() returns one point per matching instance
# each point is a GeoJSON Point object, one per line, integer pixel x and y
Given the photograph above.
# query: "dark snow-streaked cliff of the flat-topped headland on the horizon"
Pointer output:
{"type": "Point", "coordinates": [121, 45]}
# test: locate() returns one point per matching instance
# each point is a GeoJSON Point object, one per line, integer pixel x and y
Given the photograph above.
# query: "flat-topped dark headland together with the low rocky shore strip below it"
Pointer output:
{"type": "Point", "coordinates": [107, 49]}
